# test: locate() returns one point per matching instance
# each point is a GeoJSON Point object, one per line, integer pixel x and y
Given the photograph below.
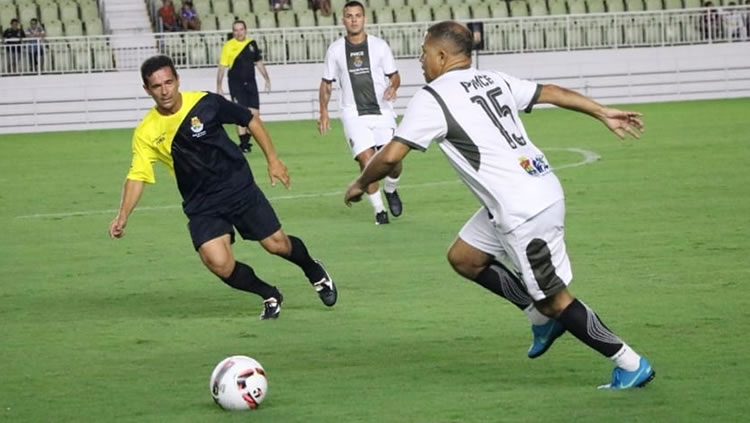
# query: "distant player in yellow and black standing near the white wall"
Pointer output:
{"type": "Point", "coordinates": [241, 55]}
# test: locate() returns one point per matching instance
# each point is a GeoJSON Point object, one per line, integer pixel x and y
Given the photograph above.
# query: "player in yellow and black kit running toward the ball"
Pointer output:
{"type": "Point", "coordinates": [184, 131]}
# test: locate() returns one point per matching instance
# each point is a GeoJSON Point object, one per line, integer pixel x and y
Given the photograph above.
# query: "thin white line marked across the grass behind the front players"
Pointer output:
{"type": "Point", "coordinates": [588, 158]}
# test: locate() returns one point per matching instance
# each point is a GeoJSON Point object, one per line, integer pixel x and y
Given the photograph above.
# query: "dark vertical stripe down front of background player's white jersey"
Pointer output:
{"type": "Point", "coordinates": [360, 75]}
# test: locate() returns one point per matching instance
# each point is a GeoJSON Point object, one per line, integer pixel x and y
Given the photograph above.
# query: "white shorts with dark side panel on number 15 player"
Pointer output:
{"type": "Point", "coordinates": [536, 248]}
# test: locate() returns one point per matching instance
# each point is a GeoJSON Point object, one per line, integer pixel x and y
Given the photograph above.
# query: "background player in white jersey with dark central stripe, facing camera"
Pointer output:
{"type": "Point", "coordinates": [364, 68]}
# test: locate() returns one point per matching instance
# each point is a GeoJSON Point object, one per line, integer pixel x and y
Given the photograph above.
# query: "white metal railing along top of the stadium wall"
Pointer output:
{"type": "Point", "coordinates": [308, 44]}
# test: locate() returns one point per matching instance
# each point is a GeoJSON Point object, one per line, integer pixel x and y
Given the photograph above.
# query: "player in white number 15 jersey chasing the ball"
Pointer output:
{"type": "Point", "coordinates": [473, 117]}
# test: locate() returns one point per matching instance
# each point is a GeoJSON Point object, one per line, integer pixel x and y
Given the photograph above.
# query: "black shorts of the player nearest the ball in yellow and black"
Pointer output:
{"type": "Point", "coordinates": [254, 219]}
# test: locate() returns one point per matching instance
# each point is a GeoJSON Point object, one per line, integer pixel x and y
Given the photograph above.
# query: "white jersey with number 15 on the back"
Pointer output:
{"type": "Point", "coordinates": [473, 116]}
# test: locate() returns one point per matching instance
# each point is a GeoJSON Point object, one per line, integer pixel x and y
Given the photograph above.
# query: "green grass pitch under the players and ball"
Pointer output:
{"type": "Point", "coordinates": [95, 330]}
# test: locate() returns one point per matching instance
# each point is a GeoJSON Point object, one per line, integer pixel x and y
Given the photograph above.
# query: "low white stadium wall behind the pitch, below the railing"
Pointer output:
{"type": "Point", "coordinates": [632, 75]}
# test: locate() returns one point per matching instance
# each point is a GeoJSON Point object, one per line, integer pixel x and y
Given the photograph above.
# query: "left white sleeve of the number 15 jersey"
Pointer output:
{"type": "Point", "coordinates": [423, 122]}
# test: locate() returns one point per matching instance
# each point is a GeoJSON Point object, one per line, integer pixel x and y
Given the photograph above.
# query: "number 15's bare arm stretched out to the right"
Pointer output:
{"type": "Point", "coordinates": [621, 122]}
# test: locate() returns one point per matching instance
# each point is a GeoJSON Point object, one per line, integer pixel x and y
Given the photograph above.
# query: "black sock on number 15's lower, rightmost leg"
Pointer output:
{"type": "Point", "coordinates": [585, 325]}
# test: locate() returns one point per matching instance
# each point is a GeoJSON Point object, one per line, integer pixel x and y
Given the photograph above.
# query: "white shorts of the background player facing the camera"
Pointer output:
{"type": "Point", "coordinates": [368, 131]}
